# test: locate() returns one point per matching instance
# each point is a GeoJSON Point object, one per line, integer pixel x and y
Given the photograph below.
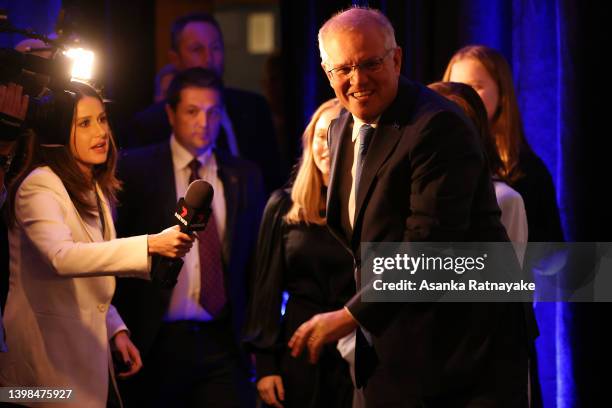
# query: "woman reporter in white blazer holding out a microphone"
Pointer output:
{"type": "Point", "coordinates": [59, 322]}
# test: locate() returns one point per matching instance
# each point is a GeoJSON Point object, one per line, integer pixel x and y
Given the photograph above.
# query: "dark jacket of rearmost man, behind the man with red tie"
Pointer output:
{"type": "Point", "coordinates": [252, 123]}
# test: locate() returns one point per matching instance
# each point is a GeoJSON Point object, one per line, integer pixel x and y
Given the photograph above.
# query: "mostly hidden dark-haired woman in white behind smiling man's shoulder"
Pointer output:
{"type": "Point", "coordinates": [510, 202]}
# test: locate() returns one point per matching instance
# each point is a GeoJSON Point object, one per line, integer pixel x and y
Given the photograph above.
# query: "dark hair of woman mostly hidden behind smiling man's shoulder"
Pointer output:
{"type": "Point", "coordinates": [469, 101]}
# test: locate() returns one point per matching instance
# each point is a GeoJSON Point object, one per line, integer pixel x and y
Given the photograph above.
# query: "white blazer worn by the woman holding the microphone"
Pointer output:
{"type": "Point", "coordinates": [58, 317]}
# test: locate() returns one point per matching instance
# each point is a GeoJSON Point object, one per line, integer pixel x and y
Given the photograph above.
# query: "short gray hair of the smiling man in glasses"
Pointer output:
{"type": "Point", "coordinates": [354, 19]}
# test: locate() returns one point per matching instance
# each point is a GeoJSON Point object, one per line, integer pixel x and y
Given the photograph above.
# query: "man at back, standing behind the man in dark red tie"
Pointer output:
{"type": "Point", "coordinates": [247, 129]}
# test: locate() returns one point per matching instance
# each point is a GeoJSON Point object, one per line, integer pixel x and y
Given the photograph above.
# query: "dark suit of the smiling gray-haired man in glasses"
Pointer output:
{"type": "Point", "coordinates": [425, 179]}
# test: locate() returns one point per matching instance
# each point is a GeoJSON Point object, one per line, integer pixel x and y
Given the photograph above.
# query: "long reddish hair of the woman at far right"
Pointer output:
{"type": "Point", "coordinates": [506, 125]}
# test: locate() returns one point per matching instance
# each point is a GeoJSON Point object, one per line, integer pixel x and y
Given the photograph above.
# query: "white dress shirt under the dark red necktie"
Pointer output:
{"type": "Point", "coordinates": [184, 303]}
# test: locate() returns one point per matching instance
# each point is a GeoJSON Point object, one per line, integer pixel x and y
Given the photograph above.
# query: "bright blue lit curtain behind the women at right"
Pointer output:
{"type": "Point", "coordinates": [532, 39]}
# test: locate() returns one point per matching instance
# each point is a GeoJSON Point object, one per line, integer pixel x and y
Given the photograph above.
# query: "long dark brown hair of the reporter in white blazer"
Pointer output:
{"type": "Point", "coordinates": [60, 159]}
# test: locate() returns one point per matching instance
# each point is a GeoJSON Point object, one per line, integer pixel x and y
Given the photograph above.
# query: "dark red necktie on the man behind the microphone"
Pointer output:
{"type": "Point", "coordinates": [212, 287]}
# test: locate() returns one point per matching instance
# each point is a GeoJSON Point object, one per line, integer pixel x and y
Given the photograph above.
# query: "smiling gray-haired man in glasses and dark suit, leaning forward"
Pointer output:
{"type": "Point", "coordinates": [407, 166]}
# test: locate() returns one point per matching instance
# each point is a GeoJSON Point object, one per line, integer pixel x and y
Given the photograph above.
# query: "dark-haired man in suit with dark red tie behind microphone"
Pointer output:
{"type": "Point", "coordinates": [189, 336]}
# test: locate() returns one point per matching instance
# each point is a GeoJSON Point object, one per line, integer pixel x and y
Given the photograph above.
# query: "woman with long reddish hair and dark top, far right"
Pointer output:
{"type": "Point", "coordinates": [487, 71]}
